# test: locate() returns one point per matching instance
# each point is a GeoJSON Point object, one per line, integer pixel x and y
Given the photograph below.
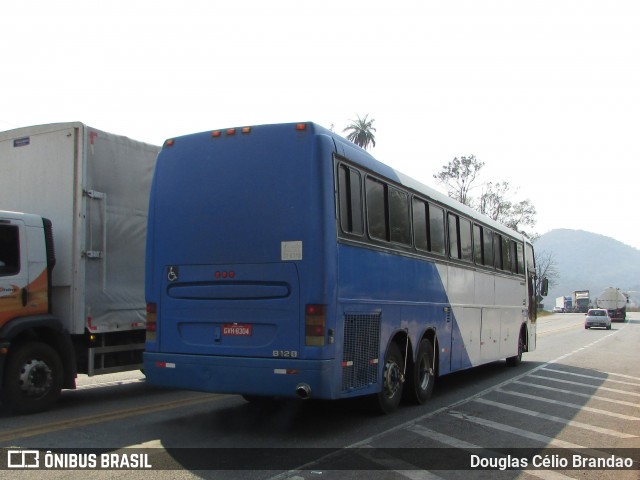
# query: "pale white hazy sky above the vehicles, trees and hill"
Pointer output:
{"type": "Point", "coordinates": [545, 92]}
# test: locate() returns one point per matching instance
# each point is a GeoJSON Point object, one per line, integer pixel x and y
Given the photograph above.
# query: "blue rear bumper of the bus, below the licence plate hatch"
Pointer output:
{"type": "Point", "coordinates": [246, 376]}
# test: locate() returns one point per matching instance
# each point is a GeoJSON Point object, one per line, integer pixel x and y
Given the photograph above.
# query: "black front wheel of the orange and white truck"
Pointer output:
{"type": "Point", "coordinates": [33, 378]}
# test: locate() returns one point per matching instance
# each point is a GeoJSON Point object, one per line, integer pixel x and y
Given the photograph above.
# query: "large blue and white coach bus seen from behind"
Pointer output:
{"type": "Point", "coordinates": [284, 261]}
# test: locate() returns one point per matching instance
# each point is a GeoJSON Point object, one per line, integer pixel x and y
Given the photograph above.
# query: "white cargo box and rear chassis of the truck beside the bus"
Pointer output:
{"type": "Point", "coordinates": [94, 188]}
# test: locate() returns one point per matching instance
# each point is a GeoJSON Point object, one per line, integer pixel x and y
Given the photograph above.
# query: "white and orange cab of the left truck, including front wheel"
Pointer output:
{"type": "Point", "coordinates": [33, 364]}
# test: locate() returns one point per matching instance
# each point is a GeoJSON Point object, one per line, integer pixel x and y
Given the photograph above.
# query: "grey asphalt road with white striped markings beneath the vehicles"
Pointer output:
{"type": "Point", "coordinates": [577, 395]}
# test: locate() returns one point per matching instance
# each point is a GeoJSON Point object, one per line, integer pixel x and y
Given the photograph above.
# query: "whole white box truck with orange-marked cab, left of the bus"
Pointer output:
{"type": "Point", "coordinates": [73, 216]}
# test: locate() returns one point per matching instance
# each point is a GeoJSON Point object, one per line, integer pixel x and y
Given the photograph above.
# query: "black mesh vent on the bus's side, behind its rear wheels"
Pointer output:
{"type": "Point", "coordinates": [361, 350]}
